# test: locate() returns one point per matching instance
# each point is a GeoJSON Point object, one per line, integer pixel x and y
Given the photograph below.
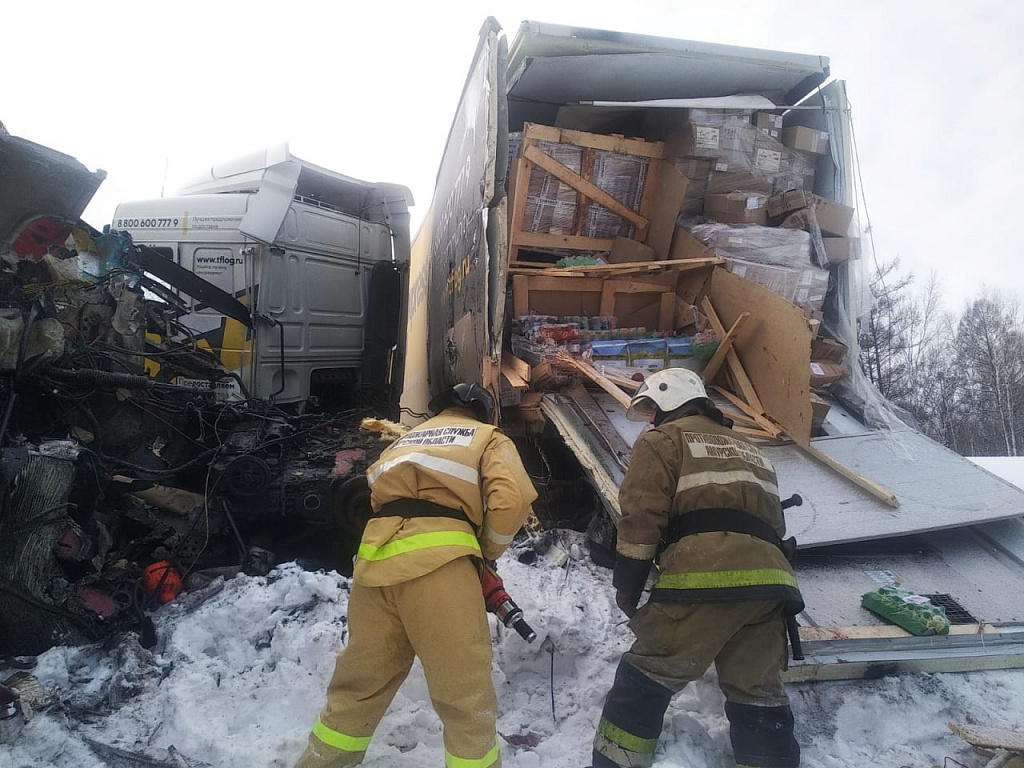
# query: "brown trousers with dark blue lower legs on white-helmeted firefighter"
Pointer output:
{"type": "Point", "coordinates": [676, 644]}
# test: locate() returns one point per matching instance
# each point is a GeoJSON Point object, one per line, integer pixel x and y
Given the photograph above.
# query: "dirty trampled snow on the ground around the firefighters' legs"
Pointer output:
{"type": "Point", "coordinates": [237, 680]}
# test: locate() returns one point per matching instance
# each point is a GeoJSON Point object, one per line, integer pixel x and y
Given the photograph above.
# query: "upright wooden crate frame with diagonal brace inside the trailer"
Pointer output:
{"type": "Point", "coordinates": [534, 160]}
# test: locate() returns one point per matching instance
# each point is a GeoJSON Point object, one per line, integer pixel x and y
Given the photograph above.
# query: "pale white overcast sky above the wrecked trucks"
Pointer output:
{"type": "Point", "coordinates": [155, 94]}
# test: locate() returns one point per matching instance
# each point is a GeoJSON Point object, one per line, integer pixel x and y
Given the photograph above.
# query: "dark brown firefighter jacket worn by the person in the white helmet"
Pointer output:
{"type": "Point", "coordinates": [694, 463]}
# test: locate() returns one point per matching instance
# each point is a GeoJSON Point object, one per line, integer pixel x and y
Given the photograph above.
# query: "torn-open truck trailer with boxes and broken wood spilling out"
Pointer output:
{"type": "Point", "coordinates": [612, 204]}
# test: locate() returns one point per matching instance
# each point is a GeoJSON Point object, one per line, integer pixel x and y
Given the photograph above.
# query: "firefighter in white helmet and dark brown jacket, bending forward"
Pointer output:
{"type": "Point", "coordinates": [708, 501]}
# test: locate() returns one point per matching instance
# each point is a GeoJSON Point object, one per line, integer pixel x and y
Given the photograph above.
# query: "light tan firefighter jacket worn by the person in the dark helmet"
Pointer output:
{"type": "Point", "coordinates": [456, 462]}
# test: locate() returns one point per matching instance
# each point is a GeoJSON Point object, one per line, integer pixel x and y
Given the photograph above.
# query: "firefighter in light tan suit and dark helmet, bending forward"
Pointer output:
{"type": "Point", "coordinates": [447, 494]}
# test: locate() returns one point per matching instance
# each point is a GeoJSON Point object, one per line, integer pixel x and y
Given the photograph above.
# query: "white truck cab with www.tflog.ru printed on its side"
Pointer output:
{"type": "Point", "coordinates": [319, 259]}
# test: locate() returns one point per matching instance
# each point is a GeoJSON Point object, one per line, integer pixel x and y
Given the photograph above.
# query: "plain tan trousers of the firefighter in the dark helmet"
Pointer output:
{"type": "Point", "coordinates": [440, 618]}
